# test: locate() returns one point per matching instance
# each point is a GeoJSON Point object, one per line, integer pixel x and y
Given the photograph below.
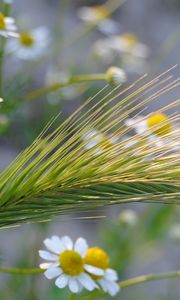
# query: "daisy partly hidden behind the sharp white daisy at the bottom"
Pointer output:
{"type": "Point", "coordinates": [98, 258]}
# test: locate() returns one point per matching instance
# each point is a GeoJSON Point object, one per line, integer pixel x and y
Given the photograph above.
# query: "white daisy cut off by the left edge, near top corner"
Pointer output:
{"type": "Point", "coordinates": [7, 26]}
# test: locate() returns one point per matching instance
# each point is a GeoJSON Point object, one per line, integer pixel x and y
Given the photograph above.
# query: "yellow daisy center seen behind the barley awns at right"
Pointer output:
{"type": "Point", "coordinates": [161, 122]}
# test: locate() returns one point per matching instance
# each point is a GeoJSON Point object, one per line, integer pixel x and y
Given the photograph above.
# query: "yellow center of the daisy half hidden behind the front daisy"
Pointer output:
{"type": "Point", "coordinates": [97, 257]}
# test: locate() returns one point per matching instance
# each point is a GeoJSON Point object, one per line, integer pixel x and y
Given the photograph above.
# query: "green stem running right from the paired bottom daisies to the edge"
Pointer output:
{"type": "Point", "coordinates": [149, 277]}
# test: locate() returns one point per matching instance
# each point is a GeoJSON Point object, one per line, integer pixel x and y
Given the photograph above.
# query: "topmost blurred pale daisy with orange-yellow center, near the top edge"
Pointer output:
{"type": "Point", "coordinates": [98, 15]}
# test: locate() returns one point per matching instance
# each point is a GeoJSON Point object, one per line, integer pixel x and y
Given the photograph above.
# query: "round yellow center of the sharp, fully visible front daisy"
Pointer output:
{"type": "Point", "coordinates": [71, 262]}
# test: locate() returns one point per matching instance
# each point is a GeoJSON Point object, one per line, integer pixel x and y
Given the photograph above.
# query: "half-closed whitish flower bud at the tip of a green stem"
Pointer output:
{"type": "Point", "coordinates": [115, 76]}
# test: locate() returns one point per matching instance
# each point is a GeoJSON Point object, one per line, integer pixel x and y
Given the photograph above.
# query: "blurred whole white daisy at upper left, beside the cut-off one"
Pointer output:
{"type": "Point", "coordinates": [30, 45]}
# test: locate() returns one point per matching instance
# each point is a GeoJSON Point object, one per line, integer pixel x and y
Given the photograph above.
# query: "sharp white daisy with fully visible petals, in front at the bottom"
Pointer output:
{"type": "Point", "coordinates": [66, 262]}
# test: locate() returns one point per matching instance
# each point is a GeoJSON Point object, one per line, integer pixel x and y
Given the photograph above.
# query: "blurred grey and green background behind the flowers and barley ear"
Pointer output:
{"type": "Point", "coordinates": [147, 245]}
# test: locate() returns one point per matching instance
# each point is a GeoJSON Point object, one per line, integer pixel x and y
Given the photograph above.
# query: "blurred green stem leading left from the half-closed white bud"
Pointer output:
{"type": "Point", "coordinates": [55, 86]}
